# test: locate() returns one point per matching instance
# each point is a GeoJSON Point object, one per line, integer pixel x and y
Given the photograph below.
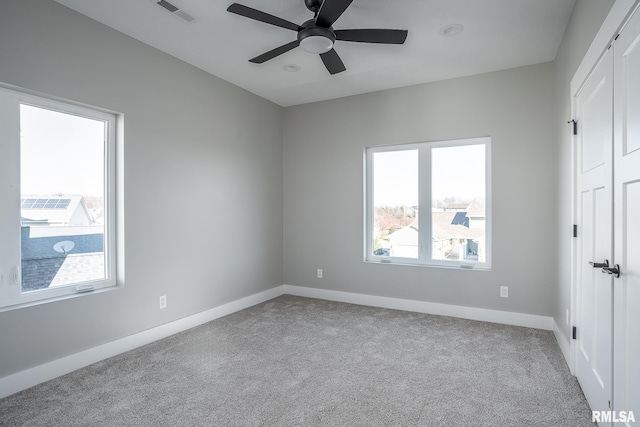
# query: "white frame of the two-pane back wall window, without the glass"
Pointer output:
{"type": "Point", "coordinates": [424, 202]}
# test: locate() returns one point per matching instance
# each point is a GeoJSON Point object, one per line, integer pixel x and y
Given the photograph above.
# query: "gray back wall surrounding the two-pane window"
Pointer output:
{"type": "Point", "coordinates": [323, 187]}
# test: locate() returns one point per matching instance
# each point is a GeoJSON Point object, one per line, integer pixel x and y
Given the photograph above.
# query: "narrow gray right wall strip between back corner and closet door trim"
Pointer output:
{"type": "Point", "coordinates": [587, 17]}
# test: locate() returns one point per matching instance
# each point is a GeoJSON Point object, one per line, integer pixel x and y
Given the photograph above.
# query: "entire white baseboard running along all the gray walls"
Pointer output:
{"type": "Point", "coordinates": [28, 378]}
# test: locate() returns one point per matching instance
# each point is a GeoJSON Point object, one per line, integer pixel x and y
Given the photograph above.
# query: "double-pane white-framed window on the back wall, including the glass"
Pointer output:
{"type": "Point", "coordinates": [429, 204]}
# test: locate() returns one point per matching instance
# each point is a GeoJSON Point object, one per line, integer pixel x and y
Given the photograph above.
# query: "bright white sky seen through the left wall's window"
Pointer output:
{"type": "Point", "coordinates": [60, 153]}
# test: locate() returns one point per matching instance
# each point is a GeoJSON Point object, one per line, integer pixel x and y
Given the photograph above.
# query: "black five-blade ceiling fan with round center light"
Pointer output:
{"type": "Point", "coordinates": [317, 34]}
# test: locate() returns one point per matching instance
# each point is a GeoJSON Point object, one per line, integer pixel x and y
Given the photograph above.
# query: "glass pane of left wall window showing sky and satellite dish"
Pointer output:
{"type": "Point", "coordinates": [62, 185]}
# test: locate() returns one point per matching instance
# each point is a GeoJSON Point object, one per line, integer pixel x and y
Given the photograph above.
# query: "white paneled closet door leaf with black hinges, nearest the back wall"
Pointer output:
{"type": "Point", "coordinates": [595, 240]}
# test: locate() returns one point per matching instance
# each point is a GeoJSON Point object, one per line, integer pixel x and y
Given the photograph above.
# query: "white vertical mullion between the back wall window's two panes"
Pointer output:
{"type": "Point", "coordinates": [424, 209]}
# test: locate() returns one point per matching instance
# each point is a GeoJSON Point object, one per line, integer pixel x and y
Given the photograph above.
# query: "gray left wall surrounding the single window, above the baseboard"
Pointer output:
{"type": "Point", "coordinates": [203, 181]}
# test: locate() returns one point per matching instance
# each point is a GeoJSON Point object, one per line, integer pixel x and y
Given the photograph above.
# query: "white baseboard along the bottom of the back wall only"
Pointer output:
{"type": "Point", "coordinates": [482, 314]}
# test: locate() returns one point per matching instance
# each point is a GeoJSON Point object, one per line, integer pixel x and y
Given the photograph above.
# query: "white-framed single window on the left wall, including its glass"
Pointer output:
{"type": "Point", "coordinates": [58, 207]}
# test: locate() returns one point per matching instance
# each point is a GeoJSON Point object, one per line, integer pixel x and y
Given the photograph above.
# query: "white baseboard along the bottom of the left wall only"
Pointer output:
{"type": "Point", "coordinates": [28, 378]}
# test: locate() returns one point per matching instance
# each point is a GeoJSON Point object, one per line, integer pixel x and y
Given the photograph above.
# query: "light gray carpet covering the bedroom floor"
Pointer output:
{"type": "Point", "coordinates": [303, 362]}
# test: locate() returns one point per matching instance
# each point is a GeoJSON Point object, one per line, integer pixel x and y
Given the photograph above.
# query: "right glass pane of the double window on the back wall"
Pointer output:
{"type": "Point", "coordinates": [458, 203]}
